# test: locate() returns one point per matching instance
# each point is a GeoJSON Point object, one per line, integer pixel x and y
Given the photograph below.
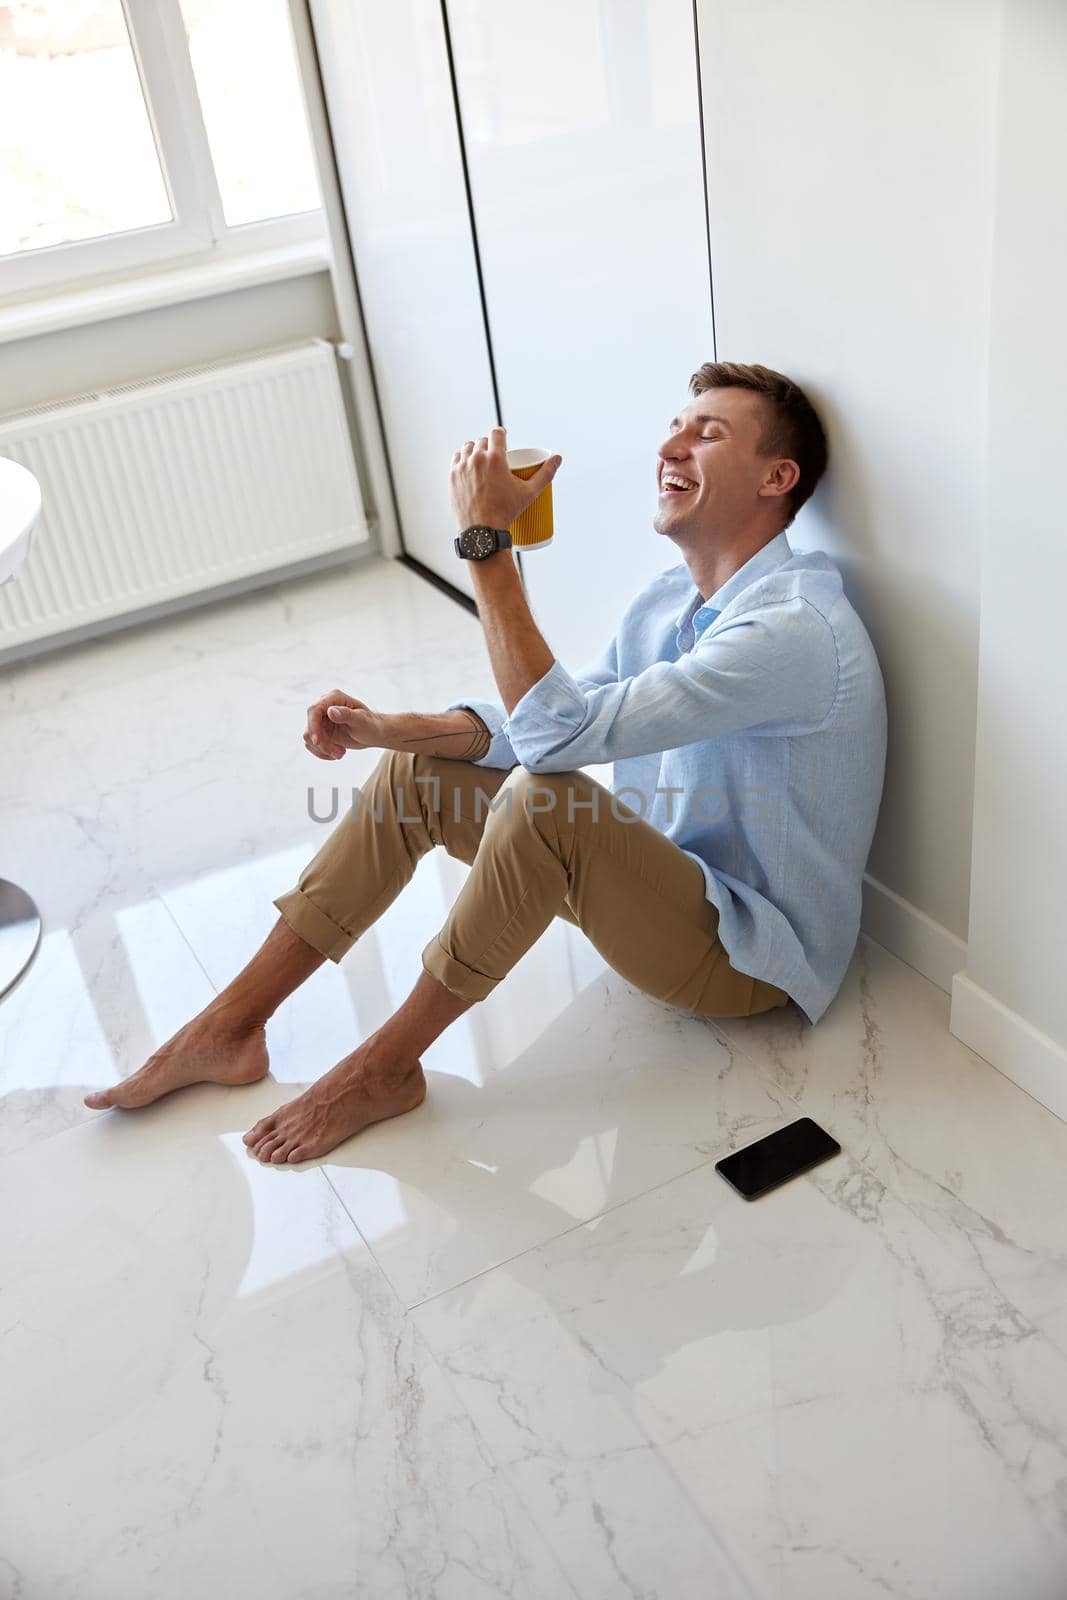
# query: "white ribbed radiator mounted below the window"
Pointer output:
{"type": "Point", "coordinates": [170, 487]}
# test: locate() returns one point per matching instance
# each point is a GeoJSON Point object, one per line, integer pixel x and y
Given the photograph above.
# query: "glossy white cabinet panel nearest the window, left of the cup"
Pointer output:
{"type": "Point", "coordinates": [385, 71]}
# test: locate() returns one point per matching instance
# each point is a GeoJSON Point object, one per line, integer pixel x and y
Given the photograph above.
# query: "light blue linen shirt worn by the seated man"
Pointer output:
{"type": "Point", "coordinates": [749, 729]}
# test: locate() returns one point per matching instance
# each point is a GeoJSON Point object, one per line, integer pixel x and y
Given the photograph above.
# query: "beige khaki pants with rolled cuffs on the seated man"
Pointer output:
{"type": "Point", "coordinates": [540, 846]}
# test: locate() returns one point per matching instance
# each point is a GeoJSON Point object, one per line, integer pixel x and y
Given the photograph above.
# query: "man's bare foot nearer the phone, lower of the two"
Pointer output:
{"type": "Point", "coordinates": [353, 1095]}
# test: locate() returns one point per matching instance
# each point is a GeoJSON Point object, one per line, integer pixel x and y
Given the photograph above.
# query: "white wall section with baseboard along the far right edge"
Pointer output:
{"type": "Point", "coordinates": [1012, 1004]}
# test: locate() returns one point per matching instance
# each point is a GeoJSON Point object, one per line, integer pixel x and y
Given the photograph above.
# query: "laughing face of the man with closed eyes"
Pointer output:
{"type": "Point", "coordinates": [713, 447]}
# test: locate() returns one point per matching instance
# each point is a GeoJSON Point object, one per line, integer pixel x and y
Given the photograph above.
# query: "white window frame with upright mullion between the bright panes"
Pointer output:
{"type": "Point", "coordinates": [199, 233]}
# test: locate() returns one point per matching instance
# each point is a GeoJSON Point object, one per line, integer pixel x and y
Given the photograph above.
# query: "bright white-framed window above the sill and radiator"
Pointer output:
{"type": "Point", "coordinates": [148, 134]}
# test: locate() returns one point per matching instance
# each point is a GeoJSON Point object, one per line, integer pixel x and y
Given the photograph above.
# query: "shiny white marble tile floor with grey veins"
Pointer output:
{"type": "Point", "coordinates": [524, 1342]}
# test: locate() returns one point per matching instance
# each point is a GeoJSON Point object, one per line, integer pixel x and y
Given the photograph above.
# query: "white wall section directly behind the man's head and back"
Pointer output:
{"type": "Point", "coordinates": [850, 150]}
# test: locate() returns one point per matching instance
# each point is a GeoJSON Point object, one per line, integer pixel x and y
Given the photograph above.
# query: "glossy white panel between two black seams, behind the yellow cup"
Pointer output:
{"type": "Point", "coordinates": [585, 150]}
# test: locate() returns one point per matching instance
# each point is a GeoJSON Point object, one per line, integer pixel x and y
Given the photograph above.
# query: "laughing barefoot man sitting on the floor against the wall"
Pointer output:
{"type": "Point", "coordinates": [743, 705]}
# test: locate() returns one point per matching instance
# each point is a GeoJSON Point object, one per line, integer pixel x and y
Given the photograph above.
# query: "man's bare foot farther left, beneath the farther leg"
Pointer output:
{"type": "Point", "coordinates": [214, 1049]}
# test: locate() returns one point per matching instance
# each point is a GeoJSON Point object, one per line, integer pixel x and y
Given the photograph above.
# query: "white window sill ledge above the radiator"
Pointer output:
{"type": "Point", "coordinates": [159, 289]}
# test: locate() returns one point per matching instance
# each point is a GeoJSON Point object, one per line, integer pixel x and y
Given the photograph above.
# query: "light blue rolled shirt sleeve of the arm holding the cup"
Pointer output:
{"type": "Point", "coordinates": [772, 671]}
